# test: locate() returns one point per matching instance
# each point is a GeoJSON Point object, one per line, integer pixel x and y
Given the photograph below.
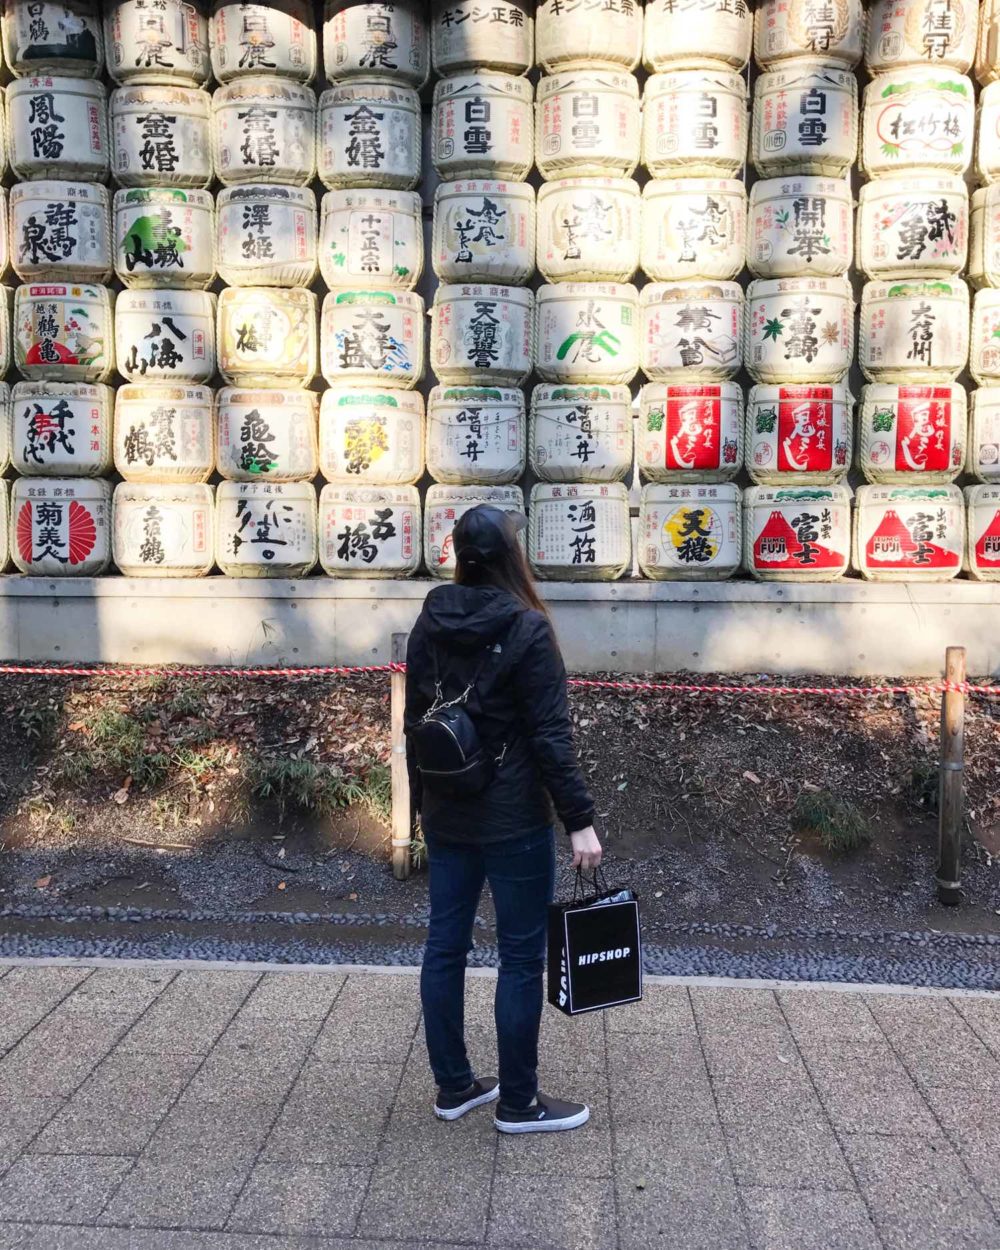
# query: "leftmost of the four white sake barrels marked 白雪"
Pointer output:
{"type": "Point", "coordinates": [483, 127]}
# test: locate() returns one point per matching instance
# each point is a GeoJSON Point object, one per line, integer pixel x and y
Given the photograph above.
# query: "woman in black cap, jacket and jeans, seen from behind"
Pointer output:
{"type": "Point", "coordinates": [489, 633]}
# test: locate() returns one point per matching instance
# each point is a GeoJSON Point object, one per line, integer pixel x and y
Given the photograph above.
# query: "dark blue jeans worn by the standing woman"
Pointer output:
{"type": "Point", "coordinates": [522, 876]}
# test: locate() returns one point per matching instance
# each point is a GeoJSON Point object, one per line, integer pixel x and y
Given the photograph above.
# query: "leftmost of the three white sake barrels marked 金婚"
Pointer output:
{"type": "Point", "coordinates": [161, 137]}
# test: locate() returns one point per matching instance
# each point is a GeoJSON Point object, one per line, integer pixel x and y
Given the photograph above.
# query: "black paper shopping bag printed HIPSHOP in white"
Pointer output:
{"type": "Point", "coordinates": [596, 951]}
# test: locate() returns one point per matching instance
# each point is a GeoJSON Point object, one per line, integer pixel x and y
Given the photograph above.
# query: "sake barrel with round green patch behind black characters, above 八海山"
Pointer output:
{"type": "Point", "coordinates": [164, 237]}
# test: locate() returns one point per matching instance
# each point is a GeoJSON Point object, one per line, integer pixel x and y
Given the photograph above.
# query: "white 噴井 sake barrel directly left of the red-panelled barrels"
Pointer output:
{"type": "Point", "coordinates": [581, 433]}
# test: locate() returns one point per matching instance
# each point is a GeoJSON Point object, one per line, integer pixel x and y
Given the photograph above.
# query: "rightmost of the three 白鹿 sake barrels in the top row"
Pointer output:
{"type": "Point", "coordinates": [377, 41]}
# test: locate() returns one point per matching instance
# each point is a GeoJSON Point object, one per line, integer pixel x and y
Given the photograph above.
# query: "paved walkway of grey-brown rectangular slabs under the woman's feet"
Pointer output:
{"type": "Point", "coordinates": [291, 1111]}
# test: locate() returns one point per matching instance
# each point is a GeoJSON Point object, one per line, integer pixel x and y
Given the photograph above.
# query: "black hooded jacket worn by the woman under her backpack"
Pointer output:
{"type": "Point", "coordinates": [519, 703]}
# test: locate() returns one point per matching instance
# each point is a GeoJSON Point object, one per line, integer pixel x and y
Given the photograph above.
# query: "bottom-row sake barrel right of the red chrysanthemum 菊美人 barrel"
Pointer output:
{"type": "Point", "coordinates": [163, 531]}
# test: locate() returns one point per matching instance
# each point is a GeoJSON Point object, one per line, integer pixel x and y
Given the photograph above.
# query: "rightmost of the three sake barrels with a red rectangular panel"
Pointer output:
{"type": "Point", "coordinates": [913, 434]}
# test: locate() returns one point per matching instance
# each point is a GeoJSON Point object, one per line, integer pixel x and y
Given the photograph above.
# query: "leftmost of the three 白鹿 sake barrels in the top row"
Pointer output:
{"type": "Point", "coordinates": [162, 43]}
